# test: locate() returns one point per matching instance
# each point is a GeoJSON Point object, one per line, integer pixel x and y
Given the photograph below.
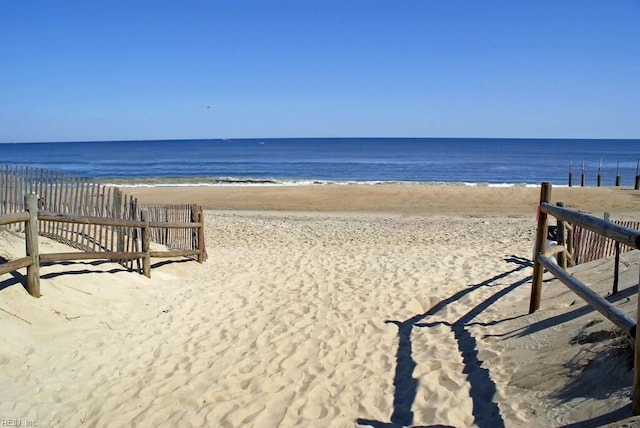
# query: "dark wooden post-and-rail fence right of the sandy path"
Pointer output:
{"type": "Point", "coordinates": [543, 260]}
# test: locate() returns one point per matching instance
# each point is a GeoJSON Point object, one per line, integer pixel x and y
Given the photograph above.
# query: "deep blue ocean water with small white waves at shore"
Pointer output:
{"type": "Point", "coordinates": [336, 160]}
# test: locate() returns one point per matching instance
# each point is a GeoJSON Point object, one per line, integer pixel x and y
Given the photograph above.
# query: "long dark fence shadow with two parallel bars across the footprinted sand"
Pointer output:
{"type": "Point", "coordinates": [486, 412]}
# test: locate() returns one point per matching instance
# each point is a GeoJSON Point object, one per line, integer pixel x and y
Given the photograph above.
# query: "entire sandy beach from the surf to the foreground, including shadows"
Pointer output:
{"type": "Point", "coordinates": [326, 306]}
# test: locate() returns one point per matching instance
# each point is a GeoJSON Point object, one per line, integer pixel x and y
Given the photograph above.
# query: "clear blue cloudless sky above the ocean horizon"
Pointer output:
{"type": "Point", "coordinates": [113, 70]}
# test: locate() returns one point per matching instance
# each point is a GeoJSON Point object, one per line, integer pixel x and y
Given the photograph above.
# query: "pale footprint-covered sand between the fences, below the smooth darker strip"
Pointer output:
{"type": "Point", "coordinates": [295, 320]}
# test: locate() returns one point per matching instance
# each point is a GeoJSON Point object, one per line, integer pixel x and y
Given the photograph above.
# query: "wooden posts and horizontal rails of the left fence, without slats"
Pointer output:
{"type": "Point", "coordinates": [32, 218]}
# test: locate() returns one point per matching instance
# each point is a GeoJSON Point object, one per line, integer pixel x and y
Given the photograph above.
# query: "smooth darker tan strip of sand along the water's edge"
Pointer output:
{"type": "Point", "coordinates": [412, 199]}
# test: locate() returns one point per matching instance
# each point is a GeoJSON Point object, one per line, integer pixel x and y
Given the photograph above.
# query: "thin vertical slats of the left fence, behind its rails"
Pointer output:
{"type": "Point", "coordinates": [60, 193]}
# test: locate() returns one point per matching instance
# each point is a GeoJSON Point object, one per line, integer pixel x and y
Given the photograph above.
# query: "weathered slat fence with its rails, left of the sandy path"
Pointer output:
{"type": "Point", "coordinates": [99, 220]}
